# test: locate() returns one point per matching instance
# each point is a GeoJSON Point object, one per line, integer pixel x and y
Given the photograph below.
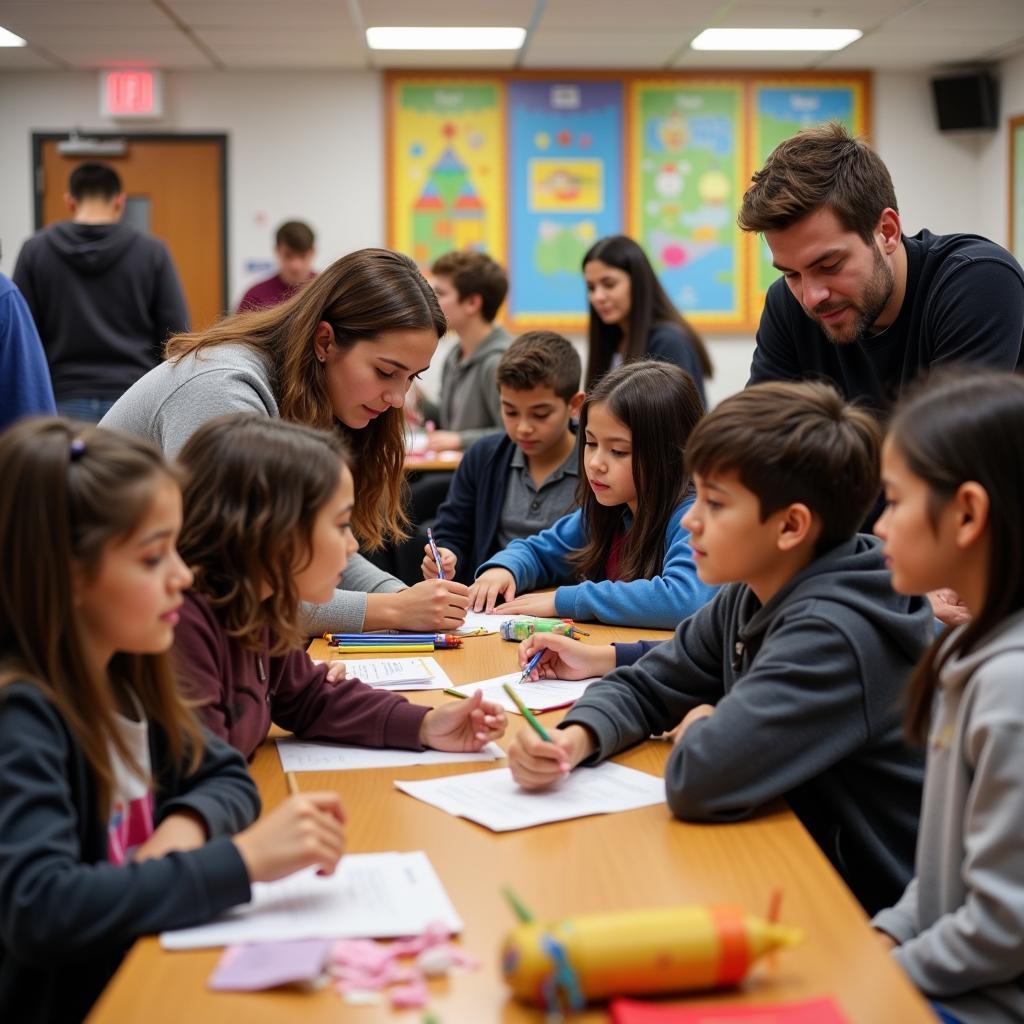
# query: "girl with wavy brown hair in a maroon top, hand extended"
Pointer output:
{"type": "Point", "coordinates": [268, 524]}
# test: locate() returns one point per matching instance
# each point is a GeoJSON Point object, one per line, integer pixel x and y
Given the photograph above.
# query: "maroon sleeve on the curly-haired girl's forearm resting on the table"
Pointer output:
{"type": "Point", "coordinates": [305, 703]}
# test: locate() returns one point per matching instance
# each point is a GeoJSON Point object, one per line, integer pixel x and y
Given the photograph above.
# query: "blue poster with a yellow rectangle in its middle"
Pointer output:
{"type": "Point", "coordinates": [566, 192]}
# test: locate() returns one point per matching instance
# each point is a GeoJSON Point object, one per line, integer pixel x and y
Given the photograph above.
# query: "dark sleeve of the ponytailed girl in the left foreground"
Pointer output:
{"type": "Point", "coordinates": [55, 908]}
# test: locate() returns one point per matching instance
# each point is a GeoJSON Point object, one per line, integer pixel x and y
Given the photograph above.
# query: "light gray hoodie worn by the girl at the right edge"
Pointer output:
{"type": "Point", "coordinates": [961, 922]}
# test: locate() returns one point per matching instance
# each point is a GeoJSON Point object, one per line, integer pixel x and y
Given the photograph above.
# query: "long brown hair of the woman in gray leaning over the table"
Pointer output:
{"type": "Point", "coordinates": [361, 295]}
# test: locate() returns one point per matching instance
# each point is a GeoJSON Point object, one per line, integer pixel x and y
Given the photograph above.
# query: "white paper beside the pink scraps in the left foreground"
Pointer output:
{"type": "Point", "coordinates": [371, 895]}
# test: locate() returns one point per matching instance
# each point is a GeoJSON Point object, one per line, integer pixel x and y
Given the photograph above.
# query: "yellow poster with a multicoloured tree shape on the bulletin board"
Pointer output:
{"type": "Point", "coordinates": [447, 167]}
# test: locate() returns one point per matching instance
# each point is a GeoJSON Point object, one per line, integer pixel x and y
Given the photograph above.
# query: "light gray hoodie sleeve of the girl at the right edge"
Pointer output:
{"type": "Point", "coordinates": [978, 946]}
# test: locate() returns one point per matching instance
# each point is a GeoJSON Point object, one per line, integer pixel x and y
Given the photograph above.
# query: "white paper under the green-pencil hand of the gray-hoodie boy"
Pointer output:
{"type": "Point", "coordinates": [494, 800]}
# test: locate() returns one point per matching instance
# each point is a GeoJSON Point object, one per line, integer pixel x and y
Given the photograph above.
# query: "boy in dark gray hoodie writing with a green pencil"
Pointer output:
{"type": "Point", "coordinates": [789, 682]}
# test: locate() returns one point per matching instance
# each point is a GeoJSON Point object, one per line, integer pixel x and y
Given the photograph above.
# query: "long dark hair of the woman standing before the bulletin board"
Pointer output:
{"type": "Point", "coordinates": [650, 306]}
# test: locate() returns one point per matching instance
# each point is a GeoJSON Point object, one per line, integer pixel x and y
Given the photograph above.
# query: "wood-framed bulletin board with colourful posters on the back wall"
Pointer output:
{"type": "Point", "coordinates": [534, 167]}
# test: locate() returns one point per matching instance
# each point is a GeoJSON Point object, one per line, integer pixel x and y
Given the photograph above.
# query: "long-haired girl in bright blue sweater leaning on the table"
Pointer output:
{"type": "Point", "coordinates": [623, 558]}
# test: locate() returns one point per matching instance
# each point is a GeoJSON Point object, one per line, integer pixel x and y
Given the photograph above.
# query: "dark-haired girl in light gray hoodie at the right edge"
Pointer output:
{"type": "Point", "coordinates": [955, 481]}
